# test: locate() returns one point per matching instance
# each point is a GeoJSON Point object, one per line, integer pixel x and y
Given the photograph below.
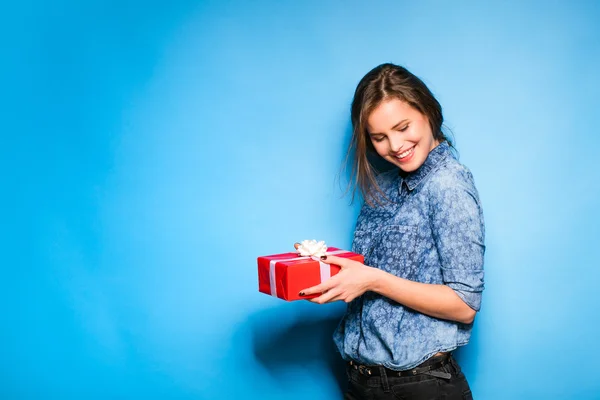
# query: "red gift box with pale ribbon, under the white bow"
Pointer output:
{"type": "Point", "coordinates": [285, 275]}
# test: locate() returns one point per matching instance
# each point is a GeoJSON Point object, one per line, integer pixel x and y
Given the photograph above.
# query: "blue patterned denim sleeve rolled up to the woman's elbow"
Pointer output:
{"type": "Point", "coordinates": [459, 235]}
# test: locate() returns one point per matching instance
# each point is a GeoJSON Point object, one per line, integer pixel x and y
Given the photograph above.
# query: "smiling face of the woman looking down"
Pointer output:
{"type": "Point", "coordinates": [400, 134]}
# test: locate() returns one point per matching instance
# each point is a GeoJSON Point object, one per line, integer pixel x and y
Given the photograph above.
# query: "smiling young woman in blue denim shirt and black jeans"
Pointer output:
{"type": "Point", "coordinates": [421, 232]}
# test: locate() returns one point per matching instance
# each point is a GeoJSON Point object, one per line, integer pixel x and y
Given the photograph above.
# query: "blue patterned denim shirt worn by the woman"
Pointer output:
{"type": "Point", "coordinates": [431, 231]}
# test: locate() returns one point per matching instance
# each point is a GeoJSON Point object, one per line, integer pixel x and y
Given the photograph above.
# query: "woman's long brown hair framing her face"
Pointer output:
{"type": "Point", "coordinates": [382, 83]}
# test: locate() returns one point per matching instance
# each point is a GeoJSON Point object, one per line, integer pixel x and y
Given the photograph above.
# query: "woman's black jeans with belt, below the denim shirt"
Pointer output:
{"type": "Point", "coordinates": [432, 385]}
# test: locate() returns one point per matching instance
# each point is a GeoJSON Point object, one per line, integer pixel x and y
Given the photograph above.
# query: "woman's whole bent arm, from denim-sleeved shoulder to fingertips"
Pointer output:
{"type": "Point", "coordinates": [458, 235]}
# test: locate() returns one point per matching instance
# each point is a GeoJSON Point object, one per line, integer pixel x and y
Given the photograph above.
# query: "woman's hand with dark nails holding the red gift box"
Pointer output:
{"type": "Point", "coordinates": [353, 280]}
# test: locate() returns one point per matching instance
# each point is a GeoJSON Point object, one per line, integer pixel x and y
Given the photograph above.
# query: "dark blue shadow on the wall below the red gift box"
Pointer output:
{"type": "Point", "coordinates": [282, 341]}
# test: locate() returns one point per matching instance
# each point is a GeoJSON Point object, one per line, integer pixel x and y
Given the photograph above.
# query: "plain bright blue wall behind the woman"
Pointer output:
{"type": "Point", "coordinates": [151, 151]}
